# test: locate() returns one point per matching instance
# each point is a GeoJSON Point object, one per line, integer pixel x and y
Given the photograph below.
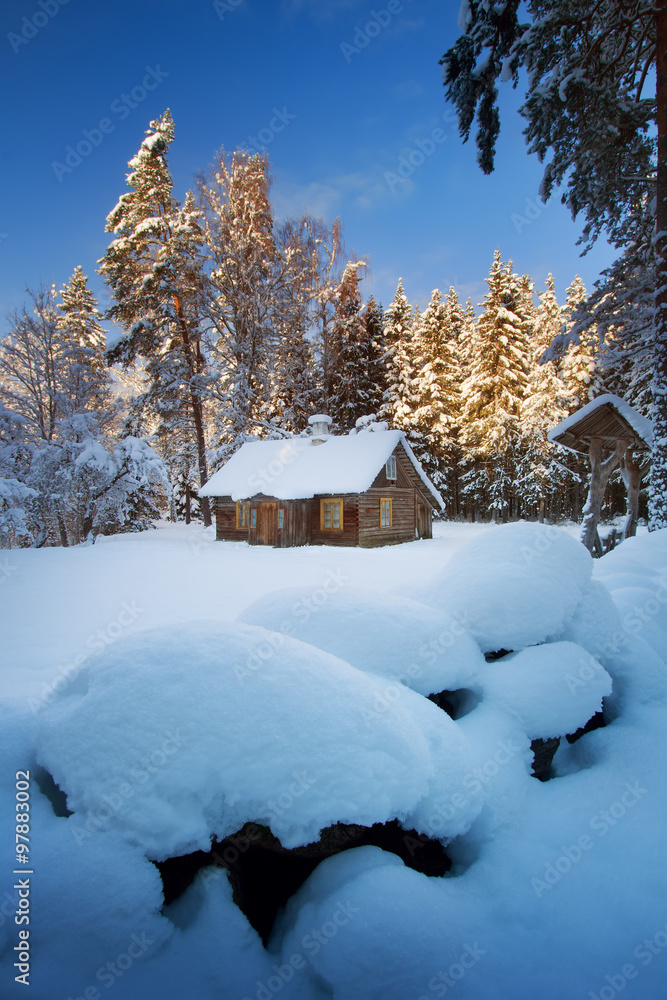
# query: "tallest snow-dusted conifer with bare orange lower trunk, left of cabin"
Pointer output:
{"type": "Point", "coordinates": [154, 269]}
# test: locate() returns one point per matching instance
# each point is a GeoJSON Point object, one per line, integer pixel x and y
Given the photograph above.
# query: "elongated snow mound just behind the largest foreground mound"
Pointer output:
{"type": "Point", "coordinates": [425, 649]}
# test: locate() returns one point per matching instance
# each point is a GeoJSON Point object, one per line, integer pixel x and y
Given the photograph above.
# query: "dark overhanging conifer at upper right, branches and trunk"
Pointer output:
{"type": "Point", "coordinates": [588, 106]}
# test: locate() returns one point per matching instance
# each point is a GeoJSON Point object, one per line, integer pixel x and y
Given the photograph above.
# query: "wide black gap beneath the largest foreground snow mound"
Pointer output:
{"type": "Point", "coordinates": [264, 874]}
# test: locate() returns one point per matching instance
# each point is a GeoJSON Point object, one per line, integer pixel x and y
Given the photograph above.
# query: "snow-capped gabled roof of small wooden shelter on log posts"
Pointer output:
{"type": "Point", "coordinates": [607, 417]}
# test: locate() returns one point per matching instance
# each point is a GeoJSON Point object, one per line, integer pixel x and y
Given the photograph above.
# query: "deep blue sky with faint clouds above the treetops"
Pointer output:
{"type": "Point", "coordinates": [344, 94]}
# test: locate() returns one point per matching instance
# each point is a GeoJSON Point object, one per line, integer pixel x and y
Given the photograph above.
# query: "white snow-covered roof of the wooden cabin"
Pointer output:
{"type": "Point", "coordinates": [297, 469]}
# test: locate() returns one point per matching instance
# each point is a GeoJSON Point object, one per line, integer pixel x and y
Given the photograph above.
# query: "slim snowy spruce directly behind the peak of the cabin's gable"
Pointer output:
{"type": "Point", "coordinates": [398, 403]}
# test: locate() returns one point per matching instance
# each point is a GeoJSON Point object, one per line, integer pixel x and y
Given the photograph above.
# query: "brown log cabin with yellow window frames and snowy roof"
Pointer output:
{"type": "Point", "coordinates": [364, 489]}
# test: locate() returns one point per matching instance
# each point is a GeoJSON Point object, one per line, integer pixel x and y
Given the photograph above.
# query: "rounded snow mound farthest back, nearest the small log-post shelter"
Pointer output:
{"type": "Point", "coordinates": [515, 585]}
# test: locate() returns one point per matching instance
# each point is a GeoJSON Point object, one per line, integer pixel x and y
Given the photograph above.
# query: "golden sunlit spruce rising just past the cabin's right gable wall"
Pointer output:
{"type": "Point", "coordinates": [436, 389]}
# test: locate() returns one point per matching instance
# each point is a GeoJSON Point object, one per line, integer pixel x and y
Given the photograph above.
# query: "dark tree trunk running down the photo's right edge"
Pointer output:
{"type": "Point", "coordinates": [658, 489]}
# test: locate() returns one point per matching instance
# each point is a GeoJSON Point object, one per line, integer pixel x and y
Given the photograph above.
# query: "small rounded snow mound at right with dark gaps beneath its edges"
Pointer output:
{"type": "Point", "coordinates": [553, 689]}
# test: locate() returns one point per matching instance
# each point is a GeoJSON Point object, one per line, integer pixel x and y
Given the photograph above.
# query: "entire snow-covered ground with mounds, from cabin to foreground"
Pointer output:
{"type": "Point", "coordinates": [176, 688]}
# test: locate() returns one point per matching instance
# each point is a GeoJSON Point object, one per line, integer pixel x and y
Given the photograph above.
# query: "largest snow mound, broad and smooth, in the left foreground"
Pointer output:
{"type": "Point", "coordinates": [180, 735]}
